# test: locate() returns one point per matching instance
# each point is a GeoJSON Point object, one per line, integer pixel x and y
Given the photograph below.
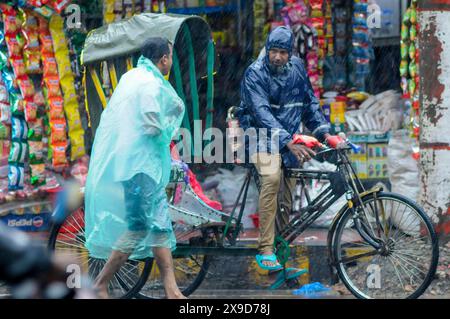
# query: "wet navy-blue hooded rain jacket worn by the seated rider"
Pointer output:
{"type": "Point", "coordinates": [280, 100]}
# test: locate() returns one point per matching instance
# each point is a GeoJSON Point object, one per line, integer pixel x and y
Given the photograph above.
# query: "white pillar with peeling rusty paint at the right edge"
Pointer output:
{"type": "Point", "coordinates": [434, 62]}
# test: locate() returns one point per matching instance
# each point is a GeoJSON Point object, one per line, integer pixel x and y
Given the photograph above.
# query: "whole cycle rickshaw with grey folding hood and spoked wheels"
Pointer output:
{"type": "Point", "coordinates": [380, 244]}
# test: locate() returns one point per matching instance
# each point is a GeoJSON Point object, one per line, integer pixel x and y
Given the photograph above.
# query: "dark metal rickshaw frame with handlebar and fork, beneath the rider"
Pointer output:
{"type": "Point", "coordinates": [342, 181]}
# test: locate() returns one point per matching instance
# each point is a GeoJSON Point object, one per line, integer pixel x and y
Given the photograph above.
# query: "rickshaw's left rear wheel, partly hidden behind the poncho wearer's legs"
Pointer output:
{"type": "Point", "coordinates": [68, 241]}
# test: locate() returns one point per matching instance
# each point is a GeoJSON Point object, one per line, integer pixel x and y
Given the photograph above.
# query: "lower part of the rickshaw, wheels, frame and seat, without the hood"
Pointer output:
{"type": "Point", "coordinates": [380, 244]}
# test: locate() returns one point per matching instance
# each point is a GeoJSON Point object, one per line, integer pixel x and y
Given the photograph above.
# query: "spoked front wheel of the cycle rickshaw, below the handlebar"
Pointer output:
{"type": "Point", "coordinates": [406, 262]}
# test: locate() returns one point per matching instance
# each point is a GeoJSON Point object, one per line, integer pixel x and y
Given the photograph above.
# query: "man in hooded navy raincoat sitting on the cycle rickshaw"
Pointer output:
{"type": "Point", "coordinates": [276, 98]}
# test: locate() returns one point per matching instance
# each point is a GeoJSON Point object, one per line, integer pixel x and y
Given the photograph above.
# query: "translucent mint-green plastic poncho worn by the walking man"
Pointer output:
{"type": "Point", "coordinates": [131, 161]}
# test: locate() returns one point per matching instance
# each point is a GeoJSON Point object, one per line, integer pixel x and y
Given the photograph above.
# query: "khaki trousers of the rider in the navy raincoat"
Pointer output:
{"type": "Point", "coordinates": [274, 188]}
